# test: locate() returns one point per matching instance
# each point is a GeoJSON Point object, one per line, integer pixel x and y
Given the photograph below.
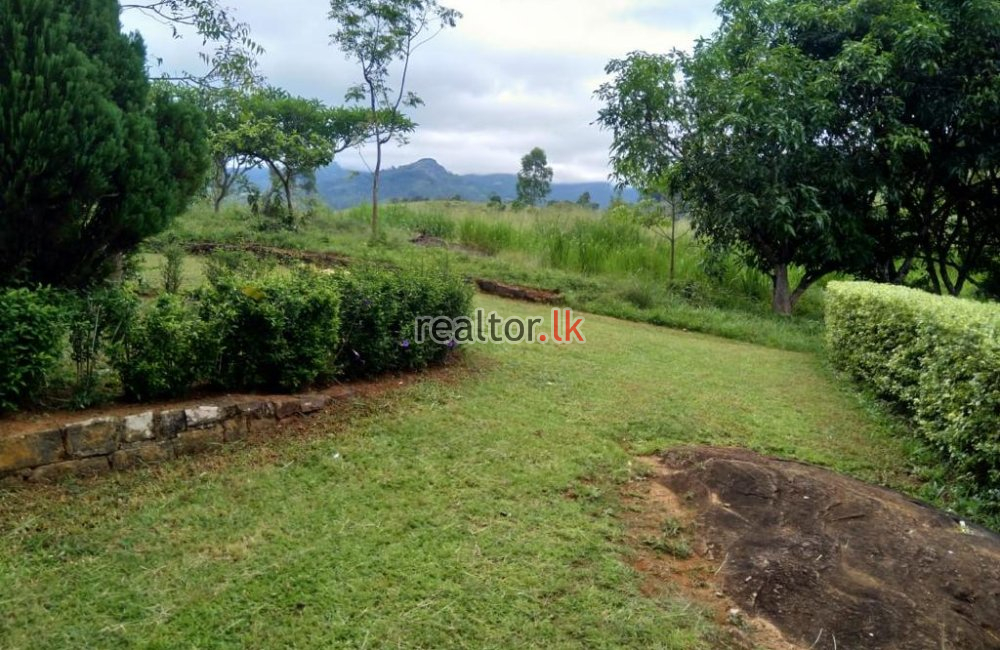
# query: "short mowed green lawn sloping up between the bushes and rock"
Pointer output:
{"type": "Point", "coordinates": [476, 510]}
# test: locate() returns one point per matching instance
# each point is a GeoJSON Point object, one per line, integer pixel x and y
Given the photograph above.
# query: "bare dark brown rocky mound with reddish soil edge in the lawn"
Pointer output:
{"type": "Point", "coordinates": [830, 561]}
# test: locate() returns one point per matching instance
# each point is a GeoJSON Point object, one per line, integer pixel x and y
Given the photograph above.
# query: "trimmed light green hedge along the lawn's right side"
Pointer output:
{"type": "Point", "coordinates": [937, 358]}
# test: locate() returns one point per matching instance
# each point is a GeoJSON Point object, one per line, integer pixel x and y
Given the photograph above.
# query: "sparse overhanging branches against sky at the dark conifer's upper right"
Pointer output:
{"type": "Point", "coordinates": [232, 62]}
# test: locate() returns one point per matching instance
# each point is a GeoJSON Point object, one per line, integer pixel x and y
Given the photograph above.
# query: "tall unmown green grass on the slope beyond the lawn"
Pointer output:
{"type": "Point", "coordinates": [604, 263]}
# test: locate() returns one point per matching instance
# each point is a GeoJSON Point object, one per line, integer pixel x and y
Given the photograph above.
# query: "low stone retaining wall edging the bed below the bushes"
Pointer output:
{"type": "Point", "coordinates": [119, 443]}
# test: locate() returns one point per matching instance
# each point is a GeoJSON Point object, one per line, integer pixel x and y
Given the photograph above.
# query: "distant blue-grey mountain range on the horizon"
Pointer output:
{"type": "Point", "coordinates": [427, 179]}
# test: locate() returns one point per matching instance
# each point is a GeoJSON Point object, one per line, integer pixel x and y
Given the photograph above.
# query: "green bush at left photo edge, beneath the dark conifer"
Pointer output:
{"type": "Point", "coordinates": [32, 331]}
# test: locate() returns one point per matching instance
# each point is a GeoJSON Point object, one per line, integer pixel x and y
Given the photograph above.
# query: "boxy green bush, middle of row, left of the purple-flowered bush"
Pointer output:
{"type": "Point", "coordinates": [279, 330]}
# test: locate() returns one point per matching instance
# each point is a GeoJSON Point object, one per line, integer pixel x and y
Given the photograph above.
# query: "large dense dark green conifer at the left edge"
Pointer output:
{"type": "Point", "coordinates": [93, 157]}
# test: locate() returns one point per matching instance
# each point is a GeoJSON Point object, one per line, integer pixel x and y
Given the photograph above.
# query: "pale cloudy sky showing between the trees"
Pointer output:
{"type": "Point", "coordinates": [514, 74]}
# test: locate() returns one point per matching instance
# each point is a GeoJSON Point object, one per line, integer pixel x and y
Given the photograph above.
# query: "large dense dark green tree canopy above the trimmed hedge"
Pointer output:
{"type": "Point", "coordinates": [856, 137]}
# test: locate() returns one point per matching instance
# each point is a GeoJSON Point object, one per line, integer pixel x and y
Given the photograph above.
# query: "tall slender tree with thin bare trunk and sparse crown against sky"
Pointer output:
{"type": "Point", "coordinates": [376, 34]}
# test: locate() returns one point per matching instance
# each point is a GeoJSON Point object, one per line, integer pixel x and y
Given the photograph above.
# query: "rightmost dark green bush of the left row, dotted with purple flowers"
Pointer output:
{"type": "Point", "coordinates": [379, 308]}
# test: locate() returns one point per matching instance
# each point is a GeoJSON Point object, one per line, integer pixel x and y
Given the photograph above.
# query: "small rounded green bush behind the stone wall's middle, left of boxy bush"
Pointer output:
{"type": "Point", "coordinates": [165, 351]}
